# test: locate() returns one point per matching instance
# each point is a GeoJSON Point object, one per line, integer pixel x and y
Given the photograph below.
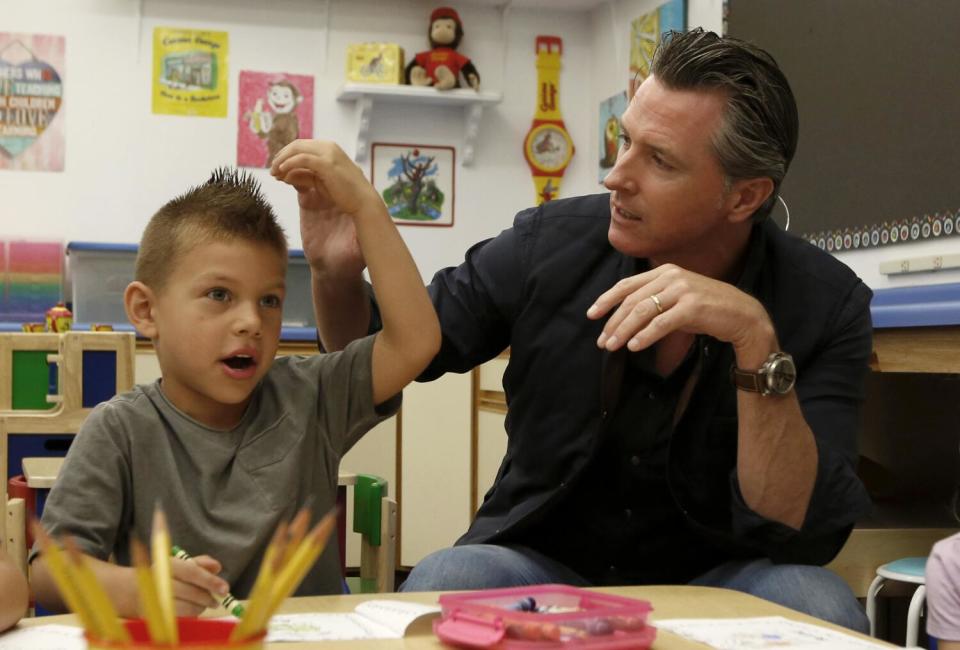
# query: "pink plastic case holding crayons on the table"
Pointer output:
{"type": "Point", "coordinates": [543, 616]}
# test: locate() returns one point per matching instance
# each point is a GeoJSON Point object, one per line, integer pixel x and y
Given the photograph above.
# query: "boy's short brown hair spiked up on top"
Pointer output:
{"type": "Point", "coordinates": [229, 206]}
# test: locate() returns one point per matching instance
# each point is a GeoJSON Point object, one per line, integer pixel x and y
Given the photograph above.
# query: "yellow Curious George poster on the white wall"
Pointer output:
{"type": "Point", "coordinates": [190, 72]}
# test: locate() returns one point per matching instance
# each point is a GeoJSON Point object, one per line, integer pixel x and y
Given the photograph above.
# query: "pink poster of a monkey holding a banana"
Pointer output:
{"type": "Point", "coordinates": [274, 110]}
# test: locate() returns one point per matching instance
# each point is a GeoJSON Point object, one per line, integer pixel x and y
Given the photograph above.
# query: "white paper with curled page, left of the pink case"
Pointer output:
{"type": "Point", "coordinates": [373, 619]}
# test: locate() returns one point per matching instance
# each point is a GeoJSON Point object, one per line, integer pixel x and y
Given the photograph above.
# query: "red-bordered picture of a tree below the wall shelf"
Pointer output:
{"type": "Point", "coordinates": [415, 181]}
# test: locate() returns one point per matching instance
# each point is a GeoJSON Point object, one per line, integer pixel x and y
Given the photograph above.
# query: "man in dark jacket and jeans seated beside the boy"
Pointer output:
{"type": "Point", "coordinates": [655, 431]}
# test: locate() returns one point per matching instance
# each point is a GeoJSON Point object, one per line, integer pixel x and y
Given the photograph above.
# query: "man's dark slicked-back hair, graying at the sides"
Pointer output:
{"type": "Point", "coordinates": [758, 134]}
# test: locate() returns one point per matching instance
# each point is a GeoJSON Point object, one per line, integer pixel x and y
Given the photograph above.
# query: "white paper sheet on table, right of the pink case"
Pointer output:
{"type": "Point", "coordinates": [763, 632]}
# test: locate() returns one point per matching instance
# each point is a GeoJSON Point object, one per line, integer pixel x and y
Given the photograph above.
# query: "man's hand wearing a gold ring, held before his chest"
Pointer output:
{"type": "Point", "coordinates": [684, 302]}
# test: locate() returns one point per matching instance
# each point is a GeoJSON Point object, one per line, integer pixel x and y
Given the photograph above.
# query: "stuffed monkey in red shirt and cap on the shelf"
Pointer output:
{"type": "Point", "coordinates": [442, 65]}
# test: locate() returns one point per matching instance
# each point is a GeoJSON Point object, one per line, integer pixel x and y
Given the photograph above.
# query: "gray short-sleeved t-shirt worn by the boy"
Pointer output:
{"type": "Point", "coordinates": [223, 492]}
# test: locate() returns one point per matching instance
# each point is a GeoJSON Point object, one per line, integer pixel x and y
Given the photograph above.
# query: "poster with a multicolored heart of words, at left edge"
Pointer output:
{"type": "Point", "coordinates": [31, 102]}
